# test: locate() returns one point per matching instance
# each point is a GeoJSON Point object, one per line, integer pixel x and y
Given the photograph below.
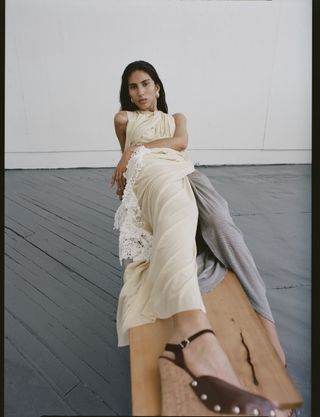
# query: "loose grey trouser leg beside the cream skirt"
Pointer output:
{"type": "Point", "coordinates": [221, 245]}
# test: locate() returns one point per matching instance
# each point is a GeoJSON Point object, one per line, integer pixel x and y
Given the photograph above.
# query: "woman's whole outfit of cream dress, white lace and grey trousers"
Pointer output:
{"type": "Point", "coordinates": [165, 247]}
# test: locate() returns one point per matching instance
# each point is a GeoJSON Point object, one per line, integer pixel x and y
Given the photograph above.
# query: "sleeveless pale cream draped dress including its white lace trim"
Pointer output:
{"type": "Point", "coordinates": [157, 220]}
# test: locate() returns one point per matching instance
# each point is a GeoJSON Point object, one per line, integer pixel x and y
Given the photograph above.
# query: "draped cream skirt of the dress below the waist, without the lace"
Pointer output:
{"type": "Point", "coordinates": [168, 282]}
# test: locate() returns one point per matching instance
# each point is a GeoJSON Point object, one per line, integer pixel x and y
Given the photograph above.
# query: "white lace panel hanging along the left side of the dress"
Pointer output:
{"type": "Point", "coordinates": [134, 240]}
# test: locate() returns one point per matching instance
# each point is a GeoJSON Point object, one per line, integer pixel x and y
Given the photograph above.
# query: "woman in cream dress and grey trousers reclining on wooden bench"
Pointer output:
{"type": "Point", "coordinates": [176, 241]}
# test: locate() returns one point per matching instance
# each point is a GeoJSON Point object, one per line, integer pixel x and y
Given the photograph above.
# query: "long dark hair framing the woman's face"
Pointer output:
{"type": "Point", "coordinates": [125, 100]}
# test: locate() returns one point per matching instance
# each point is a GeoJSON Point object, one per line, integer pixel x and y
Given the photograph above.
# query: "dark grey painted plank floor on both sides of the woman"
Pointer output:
{"type": "Point", "coordinates": [63, 278]}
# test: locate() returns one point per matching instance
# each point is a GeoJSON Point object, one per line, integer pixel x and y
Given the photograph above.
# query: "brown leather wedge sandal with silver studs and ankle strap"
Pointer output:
{"type": "Point", "coordinates": [184, 394]}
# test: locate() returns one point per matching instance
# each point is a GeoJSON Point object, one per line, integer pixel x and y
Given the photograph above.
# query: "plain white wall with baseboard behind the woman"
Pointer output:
{"type": "Point", "coordinates": [239, 70]}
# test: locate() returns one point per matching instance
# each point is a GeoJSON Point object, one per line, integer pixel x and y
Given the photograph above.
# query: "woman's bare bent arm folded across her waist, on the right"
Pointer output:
{"type": "Point", "coordinates": [179, 141]}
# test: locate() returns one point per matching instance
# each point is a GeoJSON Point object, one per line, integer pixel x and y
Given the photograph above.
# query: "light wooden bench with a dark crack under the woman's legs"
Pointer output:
{"type": "Point", "coordinates": [238, 329]}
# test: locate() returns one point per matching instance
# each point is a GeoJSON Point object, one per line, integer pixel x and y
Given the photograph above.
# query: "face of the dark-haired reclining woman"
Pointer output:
{"type": "Point", "coordinates": [143, 90]}
